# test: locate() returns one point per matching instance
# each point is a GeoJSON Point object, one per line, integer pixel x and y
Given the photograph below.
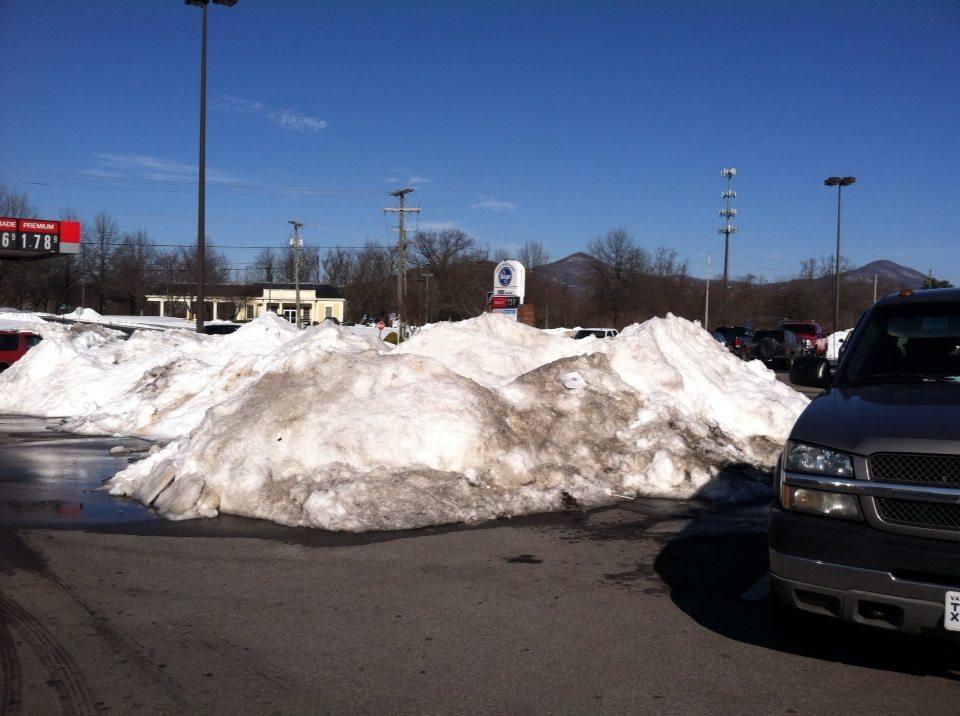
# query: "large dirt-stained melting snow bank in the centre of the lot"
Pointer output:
{"type": "Point", "coordinates": [456, 427]}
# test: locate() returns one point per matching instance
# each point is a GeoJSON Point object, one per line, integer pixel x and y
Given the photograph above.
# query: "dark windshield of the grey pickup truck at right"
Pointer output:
{"type": "Point", "coordinates": [907, 343]}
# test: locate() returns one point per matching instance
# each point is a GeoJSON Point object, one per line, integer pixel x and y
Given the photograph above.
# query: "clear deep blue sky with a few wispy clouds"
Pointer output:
{"type": "Point", "coordinates": [547, 121]}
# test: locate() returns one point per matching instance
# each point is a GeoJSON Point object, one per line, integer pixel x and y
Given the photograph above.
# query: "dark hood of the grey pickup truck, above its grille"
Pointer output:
{"type": "Point", "coordinates": [921, 418]}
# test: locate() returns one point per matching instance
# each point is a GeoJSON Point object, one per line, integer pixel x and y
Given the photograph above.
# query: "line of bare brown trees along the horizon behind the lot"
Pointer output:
{"type": "Point", "coordinates": [449, 276]}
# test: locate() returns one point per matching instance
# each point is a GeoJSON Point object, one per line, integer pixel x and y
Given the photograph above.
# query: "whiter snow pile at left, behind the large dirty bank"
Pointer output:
{"type": "Point", "coordinates": [157, 384]}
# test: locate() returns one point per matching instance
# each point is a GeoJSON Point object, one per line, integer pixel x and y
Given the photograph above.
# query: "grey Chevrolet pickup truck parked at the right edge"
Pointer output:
{"type": "Point", "coordinates": [867, 522]}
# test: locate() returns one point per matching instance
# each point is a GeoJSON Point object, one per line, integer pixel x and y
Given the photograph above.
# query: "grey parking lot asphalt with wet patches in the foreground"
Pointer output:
{"type": "Point", "coordinates": [651, 605]}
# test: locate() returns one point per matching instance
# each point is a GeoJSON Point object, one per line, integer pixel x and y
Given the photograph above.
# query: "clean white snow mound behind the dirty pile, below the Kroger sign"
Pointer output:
{"type": "Point", "coordinates": [490, 350]}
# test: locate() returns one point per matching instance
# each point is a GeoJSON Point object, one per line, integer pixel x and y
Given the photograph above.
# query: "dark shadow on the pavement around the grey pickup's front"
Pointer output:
{"type": "Point", "coordinates": [708, 574]}
